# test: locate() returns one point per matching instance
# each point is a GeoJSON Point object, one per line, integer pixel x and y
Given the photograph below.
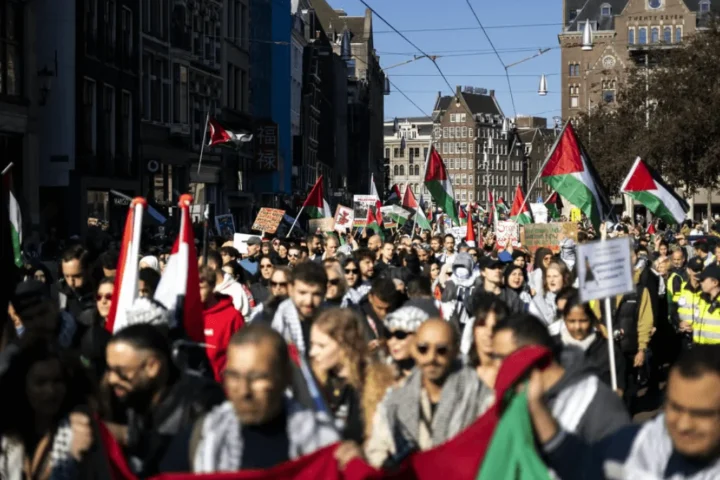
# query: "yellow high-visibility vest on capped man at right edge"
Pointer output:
{"type": "Point", "coordinates": [703, 316]}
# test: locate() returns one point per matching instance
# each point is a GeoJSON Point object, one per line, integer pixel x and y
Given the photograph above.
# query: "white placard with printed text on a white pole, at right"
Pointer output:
{"type": "Point", "coordinates": [604, 269]}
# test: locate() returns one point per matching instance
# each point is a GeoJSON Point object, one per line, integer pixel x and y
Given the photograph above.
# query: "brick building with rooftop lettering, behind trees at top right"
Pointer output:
{"type": "Point", "coordinates": [625, 33]}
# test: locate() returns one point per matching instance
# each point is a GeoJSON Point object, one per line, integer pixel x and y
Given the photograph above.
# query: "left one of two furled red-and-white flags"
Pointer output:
{"type": "Point", "coordinates": [126, 278]}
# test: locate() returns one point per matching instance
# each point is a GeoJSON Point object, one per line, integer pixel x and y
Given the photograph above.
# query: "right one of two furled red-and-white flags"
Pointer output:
{"type": "Point", "coordinates": [181, 278]}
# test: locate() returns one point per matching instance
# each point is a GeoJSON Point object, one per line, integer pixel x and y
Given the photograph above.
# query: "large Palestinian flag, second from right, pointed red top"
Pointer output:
{"type": "Point", "coordinates": [569, 171]}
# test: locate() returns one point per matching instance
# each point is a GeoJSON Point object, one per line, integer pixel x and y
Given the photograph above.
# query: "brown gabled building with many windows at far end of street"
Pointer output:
{"type": "Point", "coordinates": [475, 140]}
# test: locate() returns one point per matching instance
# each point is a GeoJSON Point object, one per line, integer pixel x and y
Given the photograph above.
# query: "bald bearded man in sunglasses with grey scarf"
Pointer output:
{"type": "Point", "coordinates": [439, 399]}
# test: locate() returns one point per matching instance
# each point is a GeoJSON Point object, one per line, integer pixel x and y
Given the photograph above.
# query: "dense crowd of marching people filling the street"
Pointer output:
{"type": "Point", "coordinates": [389, 345]}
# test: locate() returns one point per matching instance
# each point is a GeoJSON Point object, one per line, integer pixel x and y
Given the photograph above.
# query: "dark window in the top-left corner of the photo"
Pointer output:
{"type": "Point", "coordinates": [11, 48]}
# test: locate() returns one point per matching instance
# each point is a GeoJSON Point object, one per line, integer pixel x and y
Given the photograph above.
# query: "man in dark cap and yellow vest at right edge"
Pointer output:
{"type": "Point", "coordinates": [705, 318]}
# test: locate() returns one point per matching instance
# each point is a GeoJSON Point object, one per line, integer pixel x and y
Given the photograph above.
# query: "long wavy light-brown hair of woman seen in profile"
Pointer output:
{"type": "Point", "coordinates": [345, 327]}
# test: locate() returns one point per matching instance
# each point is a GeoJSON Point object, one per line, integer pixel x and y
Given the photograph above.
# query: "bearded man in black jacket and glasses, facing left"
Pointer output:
{"type": "Point", "coordinates": [153, 399]}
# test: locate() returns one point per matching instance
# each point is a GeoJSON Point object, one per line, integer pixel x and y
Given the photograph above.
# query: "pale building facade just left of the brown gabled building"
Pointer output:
{"type": "Point", "coordinates": [406, 148]}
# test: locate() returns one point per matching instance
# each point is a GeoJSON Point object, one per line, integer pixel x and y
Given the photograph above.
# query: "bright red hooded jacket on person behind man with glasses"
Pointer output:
{"type": "Point", "coordinates": [219, 323]}
